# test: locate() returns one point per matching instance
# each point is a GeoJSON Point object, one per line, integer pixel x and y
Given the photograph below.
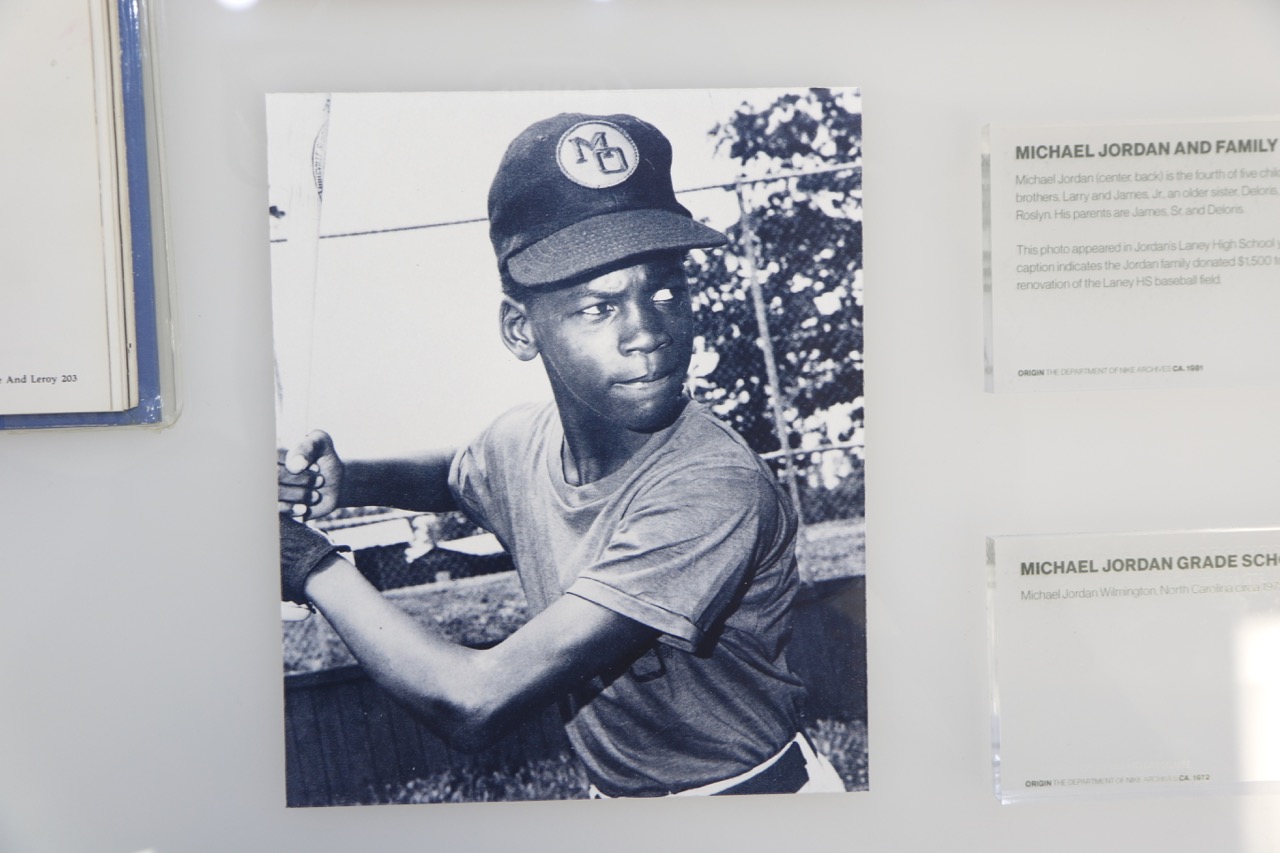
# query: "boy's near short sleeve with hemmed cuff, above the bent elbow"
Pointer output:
{"type": "Point", "coordinates": [683, 551]}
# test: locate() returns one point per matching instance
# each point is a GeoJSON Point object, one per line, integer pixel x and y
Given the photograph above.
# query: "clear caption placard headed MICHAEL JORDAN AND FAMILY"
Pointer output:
{"type": "Point", "coordinates": [1133, 256]}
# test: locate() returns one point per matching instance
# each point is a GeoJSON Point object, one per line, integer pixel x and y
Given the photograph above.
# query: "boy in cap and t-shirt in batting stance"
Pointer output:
{"type": "Point", "coordinates": [656, 550]}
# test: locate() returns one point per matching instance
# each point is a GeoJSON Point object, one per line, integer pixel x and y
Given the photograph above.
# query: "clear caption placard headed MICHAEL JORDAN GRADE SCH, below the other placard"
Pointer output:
{"type": "Point", "coordinates": [1136, 663]}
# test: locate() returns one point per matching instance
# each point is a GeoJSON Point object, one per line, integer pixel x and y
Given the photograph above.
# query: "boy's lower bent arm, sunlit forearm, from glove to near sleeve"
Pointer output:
{"type": "Point", "coordinates": [470, 697]}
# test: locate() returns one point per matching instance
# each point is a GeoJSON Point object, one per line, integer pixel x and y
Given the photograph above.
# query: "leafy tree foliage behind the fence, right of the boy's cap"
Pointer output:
{"type": "Point", "coordinates": [804, 232]}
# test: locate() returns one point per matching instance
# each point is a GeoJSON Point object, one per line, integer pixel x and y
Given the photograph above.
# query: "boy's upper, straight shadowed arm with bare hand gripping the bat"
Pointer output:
{"type": "Point", "coordinates": [314, 481]}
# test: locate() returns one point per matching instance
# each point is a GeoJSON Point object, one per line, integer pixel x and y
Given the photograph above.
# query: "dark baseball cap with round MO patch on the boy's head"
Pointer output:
{"type": "Point", "coordinates": [577, 195]}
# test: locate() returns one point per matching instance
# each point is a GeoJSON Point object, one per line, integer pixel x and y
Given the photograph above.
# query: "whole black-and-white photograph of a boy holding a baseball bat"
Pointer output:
{"type": "Point", "coordinates": [572, 444]}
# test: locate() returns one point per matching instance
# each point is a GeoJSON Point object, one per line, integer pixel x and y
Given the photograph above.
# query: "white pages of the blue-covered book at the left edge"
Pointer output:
{"type": "Point", "coordinates": [65, 327]}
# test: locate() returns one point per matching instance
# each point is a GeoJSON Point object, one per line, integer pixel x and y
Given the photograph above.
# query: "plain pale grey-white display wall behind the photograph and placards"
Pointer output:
{"type": "Point", "coordinates": [140, 686]}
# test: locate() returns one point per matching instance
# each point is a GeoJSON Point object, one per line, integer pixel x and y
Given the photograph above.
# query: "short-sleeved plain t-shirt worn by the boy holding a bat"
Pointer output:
{"type": "Point", "coordinates": [692, 537]}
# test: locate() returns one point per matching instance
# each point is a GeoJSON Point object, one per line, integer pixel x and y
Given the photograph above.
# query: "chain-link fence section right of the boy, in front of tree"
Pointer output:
{"type": "Point", "coordinates": [780, 352]}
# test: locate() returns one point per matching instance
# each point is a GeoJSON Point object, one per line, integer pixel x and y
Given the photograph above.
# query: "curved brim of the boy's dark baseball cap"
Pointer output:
{"type": "Point", "coordinates": [602, 243]}
